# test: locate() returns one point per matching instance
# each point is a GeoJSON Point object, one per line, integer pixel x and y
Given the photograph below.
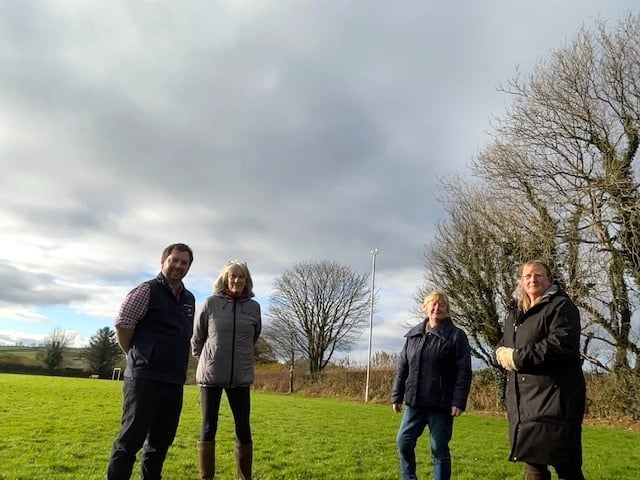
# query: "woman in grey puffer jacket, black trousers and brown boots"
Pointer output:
{"type": "Point", "coordinates": [225, 330]}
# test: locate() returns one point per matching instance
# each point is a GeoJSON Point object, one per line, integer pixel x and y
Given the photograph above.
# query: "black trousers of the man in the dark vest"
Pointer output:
{"type": "Point", "coordinates": [151, 412]}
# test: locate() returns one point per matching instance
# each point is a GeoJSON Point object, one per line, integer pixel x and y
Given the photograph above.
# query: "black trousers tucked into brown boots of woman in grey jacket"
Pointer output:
{"type": "Point", "coordinates": [240, 404]}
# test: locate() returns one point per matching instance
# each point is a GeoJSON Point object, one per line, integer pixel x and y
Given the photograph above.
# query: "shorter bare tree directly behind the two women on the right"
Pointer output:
{"type": "Point", "coordinates": [473, 258]}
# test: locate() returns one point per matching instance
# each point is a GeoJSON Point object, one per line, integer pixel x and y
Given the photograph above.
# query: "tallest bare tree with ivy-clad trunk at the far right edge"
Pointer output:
{"type": "Point", "coordinates": [577, 119]}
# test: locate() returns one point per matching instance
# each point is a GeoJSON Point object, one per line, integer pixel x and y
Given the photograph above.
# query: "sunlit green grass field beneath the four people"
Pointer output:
{"type": "Point", "coordinates": [62, 428]}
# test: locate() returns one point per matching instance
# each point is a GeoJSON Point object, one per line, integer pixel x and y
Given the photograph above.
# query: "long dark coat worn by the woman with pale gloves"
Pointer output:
{"type": "Point", "coordinates": [546, 396]}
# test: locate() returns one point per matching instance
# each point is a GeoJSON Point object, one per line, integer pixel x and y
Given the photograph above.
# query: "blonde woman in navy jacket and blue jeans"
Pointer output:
{"type": "Point", "coordinates": [433, 379]}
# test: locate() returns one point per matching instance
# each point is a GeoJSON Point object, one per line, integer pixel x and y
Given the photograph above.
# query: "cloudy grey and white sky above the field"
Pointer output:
{"type": "Point", "coordinates": [275, 132]}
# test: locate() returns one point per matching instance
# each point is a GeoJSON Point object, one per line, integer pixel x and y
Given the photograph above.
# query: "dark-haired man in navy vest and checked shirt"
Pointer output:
{"type": "Point", "coordinates": [153, 328]}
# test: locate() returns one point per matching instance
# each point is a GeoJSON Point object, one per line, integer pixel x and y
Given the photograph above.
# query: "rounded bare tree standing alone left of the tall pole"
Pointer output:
{"type": "Point", "coordinates": [317, 309]}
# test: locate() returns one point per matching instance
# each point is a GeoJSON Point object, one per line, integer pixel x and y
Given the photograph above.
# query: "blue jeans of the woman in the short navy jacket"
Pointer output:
{"type": "Point", "coordinates": [414, 421]}
